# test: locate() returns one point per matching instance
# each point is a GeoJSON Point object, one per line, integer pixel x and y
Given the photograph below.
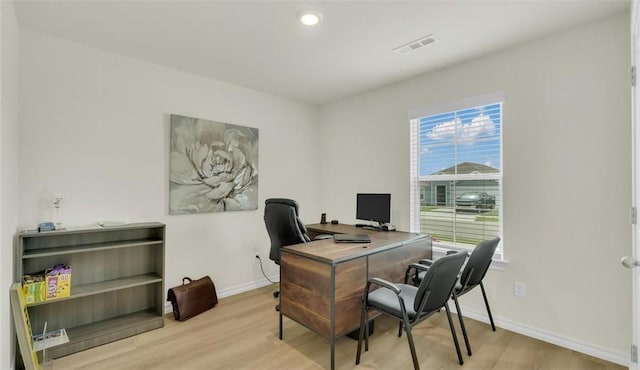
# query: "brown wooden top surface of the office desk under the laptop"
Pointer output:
{"type": "Point", "coordinates": [329, 251]}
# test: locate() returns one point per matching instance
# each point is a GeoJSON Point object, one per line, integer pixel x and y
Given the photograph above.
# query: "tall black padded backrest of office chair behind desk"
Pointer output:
{"type": "Point", "coordinates": [283, 225]}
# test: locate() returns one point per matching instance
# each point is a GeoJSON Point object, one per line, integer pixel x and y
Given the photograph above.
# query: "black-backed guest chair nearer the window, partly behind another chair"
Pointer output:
{"type": "Point", "coordinates": [471, 276]}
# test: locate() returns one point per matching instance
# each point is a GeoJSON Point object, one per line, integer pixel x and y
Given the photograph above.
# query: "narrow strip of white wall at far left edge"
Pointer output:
{"type": "Point", "coordinates": [8, 171]}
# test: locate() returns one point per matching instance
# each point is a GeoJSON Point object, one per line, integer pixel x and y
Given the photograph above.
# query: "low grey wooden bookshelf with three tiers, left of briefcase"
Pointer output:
{"type": "Point", "coordinates": [117, 282]}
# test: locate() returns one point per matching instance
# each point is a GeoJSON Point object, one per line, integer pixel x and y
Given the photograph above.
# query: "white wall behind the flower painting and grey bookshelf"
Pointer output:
{"type": "Point", "coordinates": [95, 126]}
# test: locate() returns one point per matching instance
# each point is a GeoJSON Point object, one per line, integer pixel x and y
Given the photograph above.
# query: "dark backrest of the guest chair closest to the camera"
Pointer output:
{"type": "Point", "coordinates": [439, 282]}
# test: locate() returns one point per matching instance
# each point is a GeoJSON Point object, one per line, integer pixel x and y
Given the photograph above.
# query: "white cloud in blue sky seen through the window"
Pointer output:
{"type": "Point", "coordinates": [480, 126]}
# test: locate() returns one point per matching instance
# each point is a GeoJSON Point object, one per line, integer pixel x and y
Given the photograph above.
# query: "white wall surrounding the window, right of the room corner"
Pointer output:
{"type": "Point", "coordinates": [566, 176]}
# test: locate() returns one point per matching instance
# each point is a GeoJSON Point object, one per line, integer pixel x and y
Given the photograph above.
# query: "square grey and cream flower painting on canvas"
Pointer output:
{"type": "Point", "coordinates": [214, 166]}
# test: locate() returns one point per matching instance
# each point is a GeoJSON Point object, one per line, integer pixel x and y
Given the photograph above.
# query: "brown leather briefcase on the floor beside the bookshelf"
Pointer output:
{"type": "Point", "coordinates": [192, 298]}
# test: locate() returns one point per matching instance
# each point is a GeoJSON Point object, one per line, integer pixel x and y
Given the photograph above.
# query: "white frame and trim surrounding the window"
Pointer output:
{"type": "Point", "coordinates": [439, 249]}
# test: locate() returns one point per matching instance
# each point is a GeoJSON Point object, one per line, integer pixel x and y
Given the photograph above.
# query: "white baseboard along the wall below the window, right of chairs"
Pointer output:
{"type": "Point", "coordinates": [565, 342]}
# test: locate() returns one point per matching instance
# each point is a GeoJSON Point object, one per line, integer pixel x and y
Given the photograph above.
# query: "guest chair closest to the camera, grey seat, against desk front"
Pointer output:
{"type": "Point", "coordinates": [410, 304]}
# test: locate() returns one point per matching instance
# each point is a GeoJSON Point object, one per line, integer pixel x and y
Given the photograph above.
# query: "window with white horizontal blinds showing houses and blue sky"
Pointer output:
{"type": "Point", "coordinates": [456, 172]}
